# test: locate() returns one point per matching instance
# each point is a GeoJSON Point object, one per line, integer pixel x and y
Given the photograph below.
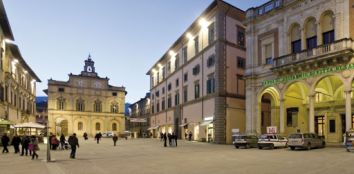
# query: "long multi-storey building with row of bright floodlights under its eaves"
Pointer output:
{"type": "Point", "coordinates": [197, 86]}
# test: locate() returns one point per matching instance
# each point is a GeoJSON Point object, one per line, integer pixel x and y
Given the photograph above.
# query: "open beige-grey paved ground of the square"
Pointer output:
{"type": "Point", "coordinates": [148, 156]}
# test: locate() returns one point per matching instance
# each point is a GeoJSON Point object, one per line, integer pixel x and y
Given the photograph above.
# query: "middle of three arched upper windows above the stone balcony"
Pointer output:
{"type": "Point", "coordinates": [311, 33]}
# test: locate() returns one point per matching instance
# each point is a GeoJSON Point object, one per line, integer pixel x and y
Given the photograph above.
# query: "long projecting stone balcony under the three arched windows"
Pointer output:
{"type": "Point", "coordinates": [338, 49]}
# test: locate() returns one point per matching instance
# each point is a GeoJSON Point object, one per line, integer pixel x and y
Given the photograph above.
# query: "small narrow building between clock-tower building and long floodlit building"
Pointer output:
{"type": "Point", "coordinates": [139, 117]}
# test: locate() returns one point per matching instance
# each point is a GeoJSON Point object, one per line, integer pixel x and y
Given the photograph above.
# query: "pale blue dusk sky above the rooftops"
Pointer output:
{"type": "Point", "coordinates": [124, 38]}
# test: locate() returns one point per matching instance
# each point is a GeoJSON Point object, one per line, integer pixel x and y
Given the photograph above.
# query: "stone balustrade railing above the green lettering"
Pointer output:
{"type": "Point", "coordinates": [320, 51]}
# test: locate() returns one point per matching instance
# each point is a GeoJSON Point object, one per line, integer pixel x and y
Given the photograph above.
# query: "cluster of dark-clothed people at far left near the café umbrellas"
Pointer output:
{"type": "Point", "coordinates": [28, 144]}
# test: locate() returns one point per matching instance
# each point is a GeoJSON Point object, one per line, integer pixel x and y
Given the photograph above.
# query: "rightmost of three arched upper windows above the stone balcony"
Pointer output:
{"type": "Point", "coordinates": [327, 27]}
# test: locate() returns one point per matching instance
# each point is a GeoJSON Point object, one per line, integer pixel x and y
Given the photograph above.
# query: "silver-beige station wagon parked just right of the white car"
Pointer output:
{"type": "Point", "coordinates": [306, 141]}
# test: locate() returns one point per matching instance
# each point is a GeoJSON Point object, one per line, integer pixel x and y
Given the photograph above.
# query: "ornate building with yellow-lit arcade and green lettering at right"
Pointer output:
{"type": "Point", "coordinates": [300, 67]}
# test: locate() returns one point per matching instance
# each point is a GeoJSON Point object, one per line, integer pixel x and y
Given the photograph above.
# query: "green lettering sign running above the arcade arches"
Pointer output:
{"type": "Point", "coordinates": [304, 75]}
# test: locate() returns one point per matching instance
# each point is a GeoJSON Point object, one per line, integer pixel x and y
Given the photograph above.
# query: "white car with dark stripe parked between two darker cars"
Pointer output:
{"type": "Point", "coordinates": [272, 141]}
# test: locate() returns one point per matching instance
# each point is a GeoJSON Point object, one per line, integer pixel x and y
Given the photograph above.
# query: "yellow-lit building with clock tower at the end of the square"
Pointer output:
{"type": "Point", "coordinates": [85, 103]}
